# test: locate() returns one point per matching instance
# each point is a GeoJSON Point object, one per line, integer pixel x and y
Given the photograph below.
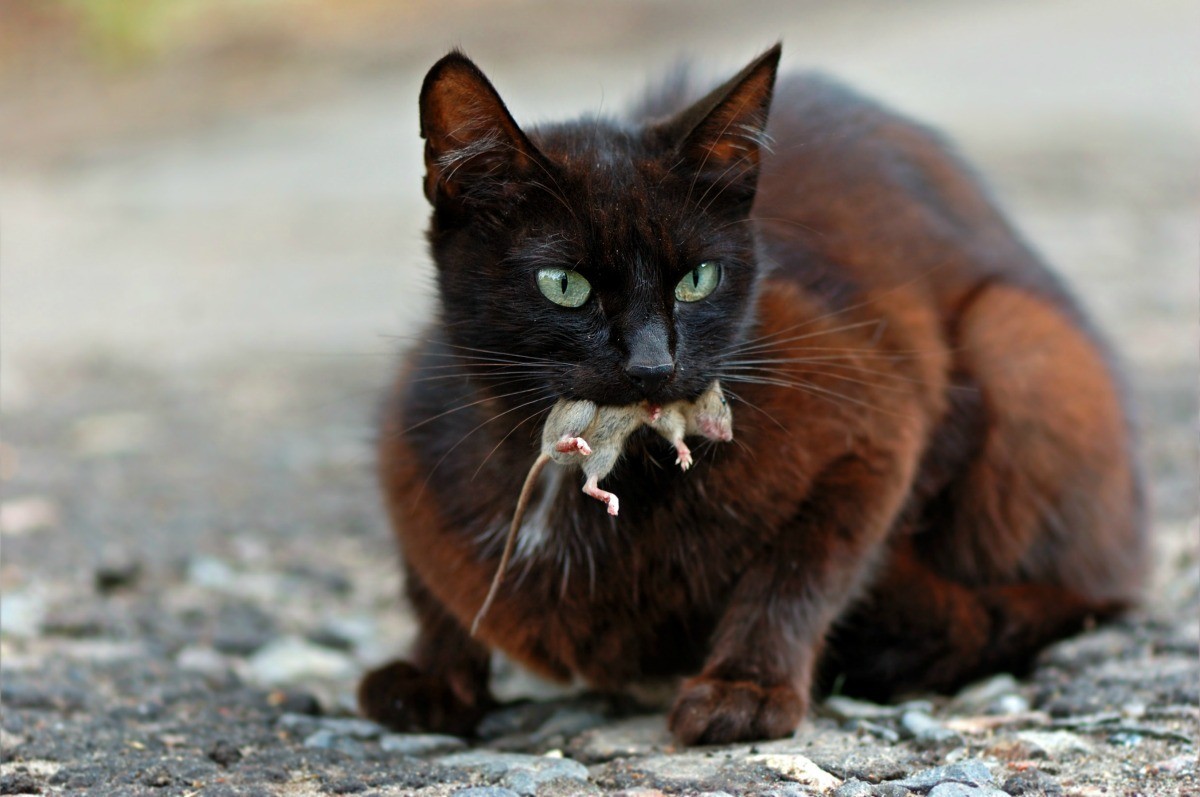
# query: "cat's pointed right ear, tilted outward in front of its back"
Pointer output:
{"type": "Point", "coordinates": [724, 133]}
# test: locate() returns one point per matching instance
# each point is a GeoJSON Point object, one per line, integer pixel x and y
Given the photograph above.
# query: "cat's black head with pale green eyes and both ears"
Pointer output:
{"type": "Point", "coordinates": [604, 261]}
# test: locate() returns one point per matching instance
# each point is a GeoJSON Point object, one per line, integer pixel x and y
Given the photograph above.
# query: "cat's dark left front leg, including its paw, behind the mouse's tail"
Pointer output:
{"type": "Point", "coordinates": [443, 690]}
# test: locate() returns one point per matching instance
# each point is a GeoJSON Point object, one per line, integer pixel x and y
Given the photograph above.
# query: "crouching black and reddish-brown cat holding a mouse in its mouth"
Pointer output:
{"type": "Point", "coordinates": [933, 474]}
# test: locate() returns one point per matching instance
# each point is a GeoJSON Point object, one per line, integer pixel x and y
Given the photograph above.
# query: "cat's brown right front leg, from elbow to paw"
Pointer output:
{"type": "Point", "coordinates": [759, 673]}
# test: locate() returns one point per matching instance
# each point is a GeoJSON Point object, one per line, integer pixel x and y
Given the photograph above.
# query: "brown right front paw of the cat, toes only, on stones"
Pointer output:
{"type": "Point", "coordinates": [712, 711]}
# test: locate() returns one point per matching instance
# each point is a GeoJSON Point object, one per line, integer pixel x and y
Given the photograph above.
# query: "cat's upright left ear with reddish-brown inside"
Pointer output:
{"type": "Point", "coordinates": [470, 135]}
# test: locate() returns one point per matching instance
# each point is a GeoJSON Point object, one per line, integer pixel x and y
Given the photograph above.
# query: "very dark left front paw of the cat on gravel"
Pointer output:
{"type": "Point", "coordinates": [407, 699]}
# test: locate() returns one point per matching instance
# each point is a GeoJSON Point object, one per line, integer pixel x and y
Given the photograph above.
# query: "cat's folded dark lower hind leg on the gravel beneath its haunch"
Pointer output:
{"type": "Point", "coordinates": [919, 631]}
